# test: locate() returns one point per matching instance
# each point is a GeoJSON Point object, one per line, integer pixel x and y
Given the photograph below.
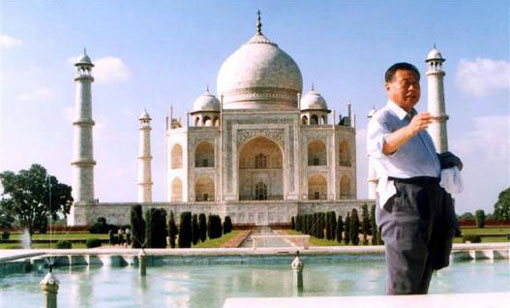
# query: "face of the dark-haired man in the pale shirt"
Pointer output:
{"type": "Point", "coordinates": [404, 89]}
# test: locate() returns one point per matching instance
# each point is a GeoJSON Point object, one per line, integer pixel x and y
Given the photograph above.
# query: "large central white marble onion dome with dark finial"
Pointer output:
{"type": "Point", "coordinates": [259, 75]}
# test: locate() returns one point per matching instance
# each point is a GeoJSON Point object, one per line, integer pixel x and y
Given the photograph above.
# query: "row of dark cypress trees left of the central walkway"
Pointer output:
{"type": "Point", "coordinates": [152, 232]}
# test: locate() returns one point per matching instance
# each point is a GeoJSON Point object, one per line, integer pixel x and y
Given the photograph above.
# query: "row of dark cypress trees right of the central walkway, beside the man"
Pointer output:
{"type": "Point", "coordinates": [327, 225]}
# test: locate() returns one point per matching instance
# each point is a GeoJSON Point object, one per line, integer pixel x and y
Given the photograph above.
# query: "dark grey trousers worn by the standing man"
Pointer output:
{"type": "Point", "coordinates": [410, 224]}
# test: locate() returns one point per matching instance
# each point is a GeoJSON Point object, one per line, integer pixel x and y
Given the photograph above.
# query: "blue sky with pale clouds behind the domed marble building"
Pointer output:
{"type": "Point", "coordinates": [154, 54]}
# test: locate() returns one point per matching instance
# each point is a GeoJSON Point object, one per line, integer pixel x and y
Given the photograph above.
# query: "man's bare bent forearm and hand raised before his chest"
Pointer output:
{"type": "Point", "coordinates": [399, 137]}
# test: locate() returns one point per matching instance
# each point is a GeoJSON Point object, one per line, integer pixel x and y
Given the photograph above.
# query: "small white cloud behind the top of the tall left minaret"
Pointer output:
{"type": "Point", "coordinates": [107, 69]}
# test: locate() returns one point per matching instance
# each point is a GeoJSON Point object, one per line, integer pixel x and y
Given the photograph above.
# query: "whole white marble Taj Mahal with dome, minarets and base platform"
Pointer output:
{"type": "Point", "coordinates": [260, 150]}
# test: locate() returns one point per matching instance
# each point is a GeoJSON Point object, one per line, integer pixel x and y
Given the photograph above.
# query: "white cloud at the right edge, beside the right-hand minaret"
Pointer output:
{"type": "Point", "coordinates": [483, 76]}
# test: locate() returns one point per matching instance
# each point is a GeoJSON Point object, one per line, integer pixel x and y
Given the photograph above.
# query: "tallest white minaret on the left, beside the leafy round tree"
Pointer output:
{"type": "Point", "coordinates": [83, 159]}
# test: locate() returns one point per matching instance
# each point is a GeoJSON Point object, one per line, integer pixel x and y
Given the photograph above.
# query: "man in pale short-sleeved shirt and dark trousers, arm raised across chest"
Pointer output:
{"type": "Point", "coordinates": [414, 214]}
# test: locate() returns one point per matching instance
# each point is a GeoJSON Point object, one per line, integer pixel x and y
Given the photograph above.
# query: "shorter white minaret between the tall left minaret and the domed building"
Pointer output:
{"type": "Point", "coordinates": [144, 160]}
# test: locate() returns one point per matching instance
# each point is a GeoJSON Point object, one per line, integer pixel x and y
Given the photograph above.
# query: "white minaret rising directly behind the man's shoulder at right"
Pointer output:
{"type": "Point", "coordinates": [435, 100]}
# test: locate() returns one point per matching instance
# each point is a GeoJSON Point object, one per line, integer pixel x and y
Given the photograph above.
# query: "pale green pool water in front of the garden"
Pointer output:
{"type": "Point", "coordinates": [180, 285]}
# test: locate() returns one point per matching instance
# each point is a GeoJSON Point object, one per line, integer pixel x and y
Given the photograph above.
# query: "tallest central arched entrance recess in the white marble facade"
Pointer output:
{"type": "Point", "coordinates": [260, 170]}
